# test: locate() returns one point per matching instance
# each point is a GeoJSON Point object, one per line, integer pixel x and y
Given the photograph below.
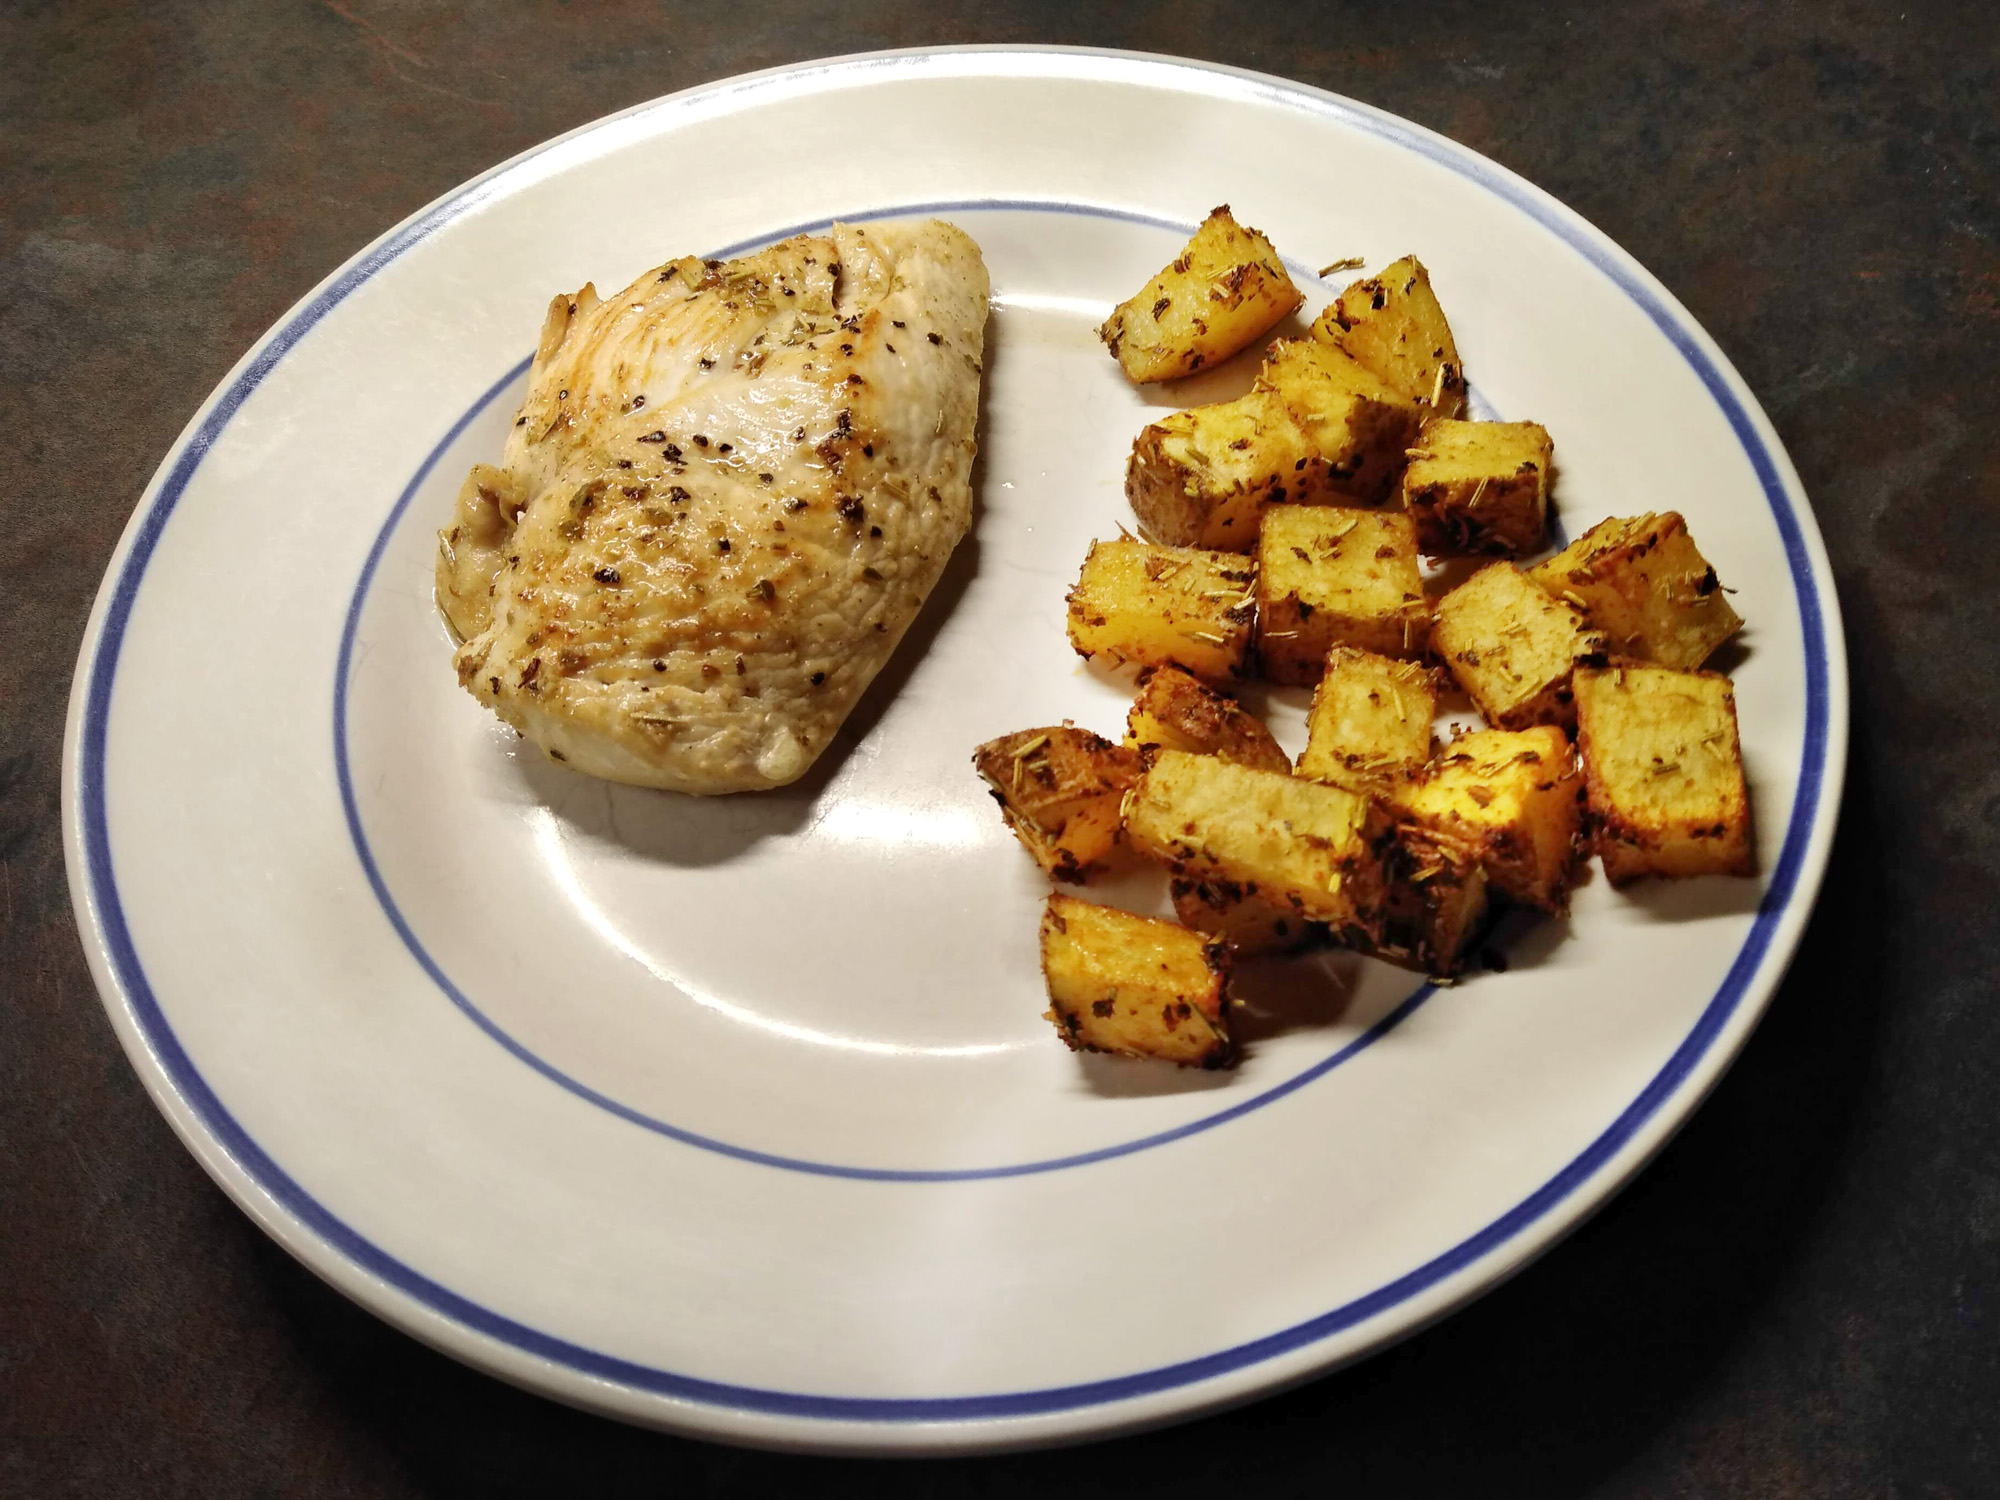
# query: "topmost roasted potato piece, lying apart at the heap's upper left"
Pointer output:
{"type": "Point", "coordinates": [1223, 293]}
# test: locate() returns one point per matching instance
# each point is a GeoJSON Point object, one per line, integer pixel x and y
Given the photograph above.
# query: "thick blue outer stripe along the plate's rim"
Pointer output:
{"type": "Point", "coordinates": [261, 1169]}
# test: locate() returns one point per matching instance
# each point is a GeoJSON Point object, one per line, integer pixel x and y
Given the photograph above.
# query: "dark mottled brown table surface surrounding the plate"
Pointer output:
{"type": "Point", "coordinates": [1801, 1297]}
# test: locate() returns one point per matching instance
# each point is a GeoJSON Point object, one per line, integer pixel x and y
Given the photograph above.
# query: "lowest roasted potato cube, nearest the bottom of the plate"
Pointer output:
{"type": "Point", "coordinates": [1135, 985]}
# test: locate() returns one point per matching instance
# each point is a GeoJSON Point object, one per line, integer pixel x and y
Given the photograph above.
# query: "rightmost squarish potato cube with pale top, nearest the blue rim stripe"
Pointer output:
{"type": "Point", "coordinates": [1663, 773]}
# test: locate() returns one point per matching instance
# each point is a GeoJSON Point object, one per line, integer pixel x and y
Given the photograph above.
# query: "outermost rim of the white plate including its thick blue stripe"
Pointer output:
{"type": "Point", "coordinates": [949, 1425]}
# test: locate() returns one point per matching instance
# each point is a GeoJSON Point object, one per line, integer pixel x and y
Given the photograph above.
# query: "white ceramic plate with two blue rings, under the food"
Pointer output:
{"type": "Point", "coordinates": [739, 1117]}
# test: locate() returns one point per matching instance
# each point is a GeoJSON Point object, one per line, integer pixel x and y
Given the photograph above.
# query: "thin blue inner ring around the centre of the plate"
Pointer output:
{"type": "Point", "coordinates": [427, 961]}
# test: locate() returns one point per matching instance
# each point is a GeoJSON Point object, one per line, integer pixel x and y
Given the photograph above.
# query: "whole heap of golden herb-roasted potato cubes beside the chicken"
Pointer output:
{"type": "Point", "coordinates": [1347, 465]}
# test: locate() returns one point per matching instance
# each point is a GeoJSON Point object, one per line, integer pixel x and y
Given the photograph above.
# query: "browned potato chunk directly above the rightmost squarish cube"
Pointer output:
{"type": "Point", "coordinates": [1647, 587]}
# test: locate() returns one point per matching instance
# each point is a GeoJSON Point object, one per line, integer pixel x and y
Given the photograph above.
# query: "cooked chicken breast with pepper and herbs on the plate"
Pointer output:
{"type": "Point", "coordinates": [723, 503]}
